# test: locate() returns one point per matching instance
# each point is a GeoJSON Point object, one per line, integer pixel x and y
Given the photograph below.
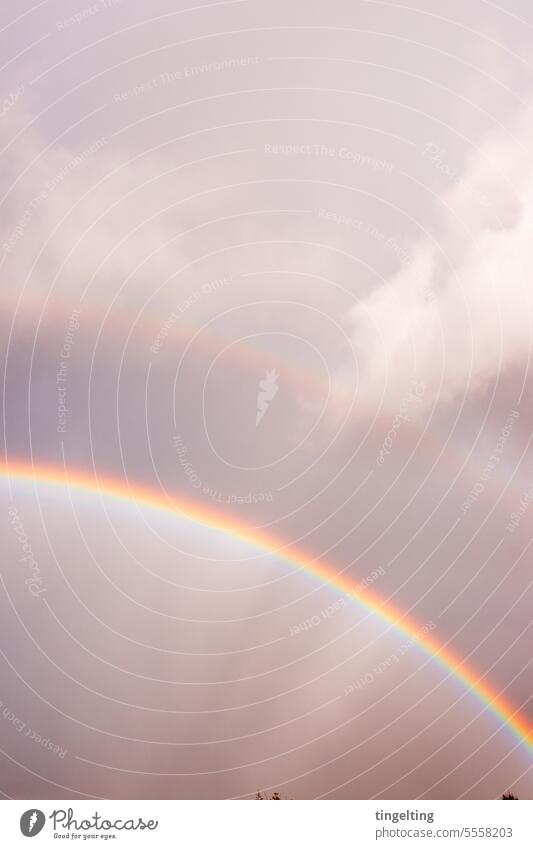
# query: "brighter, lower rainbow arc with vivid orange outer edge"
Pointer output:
{"type": "Point", "coordinates": [370, 601]}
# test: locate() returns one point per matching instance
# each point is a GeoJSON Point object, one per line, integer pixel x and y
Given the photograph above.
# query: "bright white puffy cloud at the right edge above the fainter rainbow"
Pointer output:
{"type": "Point", "coordinates": [459, 314]}
